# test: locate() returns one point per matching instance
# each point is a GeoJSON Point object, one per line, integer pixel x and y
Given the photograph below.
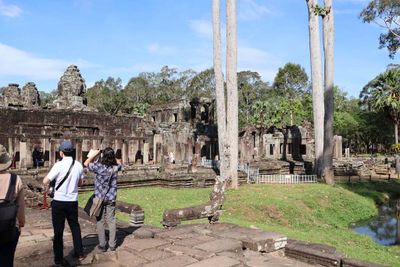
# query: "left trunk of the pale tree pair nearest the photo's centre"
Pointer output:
{"type": "Point", "coordinates": [219, 84]}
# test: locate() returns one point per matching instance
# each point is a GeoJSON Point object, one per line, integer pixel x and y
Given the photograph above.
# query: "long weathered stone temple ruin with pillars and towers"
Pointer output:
{"type": "Point", "coordinates": [172, 136]}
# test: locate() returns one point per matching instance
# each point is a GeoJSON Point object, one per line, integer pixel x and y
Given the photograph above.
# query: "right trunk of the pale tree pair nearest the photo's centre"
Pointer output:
{"type": "Point", "coordinates": [232, 127]}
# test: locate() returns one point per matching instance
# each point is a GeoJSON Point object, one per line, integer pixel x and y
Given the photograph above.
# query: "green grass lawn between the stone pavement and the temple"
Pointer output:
{"type": "Point", "coordinates": [315, 212]}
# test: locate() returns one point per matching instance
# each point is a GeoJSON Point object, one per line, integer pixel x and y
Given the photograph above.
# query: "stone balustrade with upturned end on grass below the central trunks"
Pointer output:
{"type": "Point", "coordinates": [211, 210]}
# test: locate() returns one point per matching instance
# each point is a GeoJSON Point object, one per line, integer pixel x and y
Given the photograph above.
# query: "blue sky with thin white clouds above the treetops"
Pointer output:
{"type": "Point", "coordinates": [121, 38]}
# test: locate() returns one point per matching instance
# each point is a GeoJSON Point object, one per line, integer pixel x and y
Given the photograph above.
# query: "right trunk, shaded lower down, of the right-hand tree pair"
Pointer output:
{"type": "Point", "coordinates": [328, 31]}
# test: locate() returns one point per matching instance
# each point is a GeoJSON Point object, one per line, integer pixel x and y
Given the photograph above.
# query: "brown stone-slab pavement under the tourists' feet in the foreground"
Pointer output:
{"type": "Point", "coordinates": [188, 245]}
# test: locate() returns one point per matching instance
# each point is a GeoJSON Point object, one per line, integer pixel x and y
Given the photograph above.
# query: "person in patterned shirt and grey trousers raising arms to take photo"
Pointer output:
{"type": "Point", "coordinates": [106, 169]}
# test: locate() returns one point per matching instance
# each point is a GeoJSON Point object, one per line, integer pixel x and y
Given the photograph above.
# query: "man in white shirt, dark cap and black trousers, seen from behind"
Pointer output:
{"type": "Point", "coordinates": [68, 174]}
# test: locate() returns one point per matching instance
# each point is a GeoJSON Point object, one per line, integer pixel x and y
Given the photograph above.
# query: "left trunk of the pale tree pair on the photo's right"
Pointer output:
{"type": "Point", "coordinates": [317, 88]}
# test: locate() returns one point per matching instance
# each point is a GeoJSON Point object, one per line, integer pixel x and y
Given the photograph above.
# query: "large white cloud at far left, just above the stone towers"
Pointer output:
{"type": "Point", "coordinates": [16, 62]}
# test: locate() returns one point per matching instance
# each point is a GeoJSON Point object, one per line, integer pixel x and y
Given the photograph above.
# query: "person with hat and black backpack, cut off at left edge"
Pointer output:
{"type": "Point", "coordinates": [11, 196]}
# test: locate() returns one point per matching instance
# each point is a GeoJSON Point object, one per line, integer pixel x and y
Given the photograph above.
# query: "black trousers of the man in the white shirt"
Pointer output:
{"type": "Point", "coordinates": [61, 210]}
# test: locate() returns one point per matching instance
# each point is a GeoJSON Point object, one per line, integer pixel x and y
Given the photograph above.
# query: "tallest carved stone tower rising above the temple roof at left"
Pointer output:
{"type": "Point", "coordinates": [71, 90]}
